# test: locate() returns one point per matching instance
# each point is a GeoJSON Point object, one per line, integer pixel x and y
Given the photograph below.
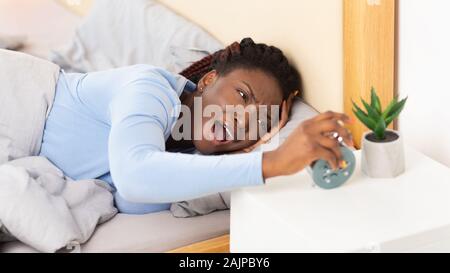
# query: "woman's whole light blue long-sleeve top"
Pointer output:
{"type": "Point", "coordinates": [113, 125]}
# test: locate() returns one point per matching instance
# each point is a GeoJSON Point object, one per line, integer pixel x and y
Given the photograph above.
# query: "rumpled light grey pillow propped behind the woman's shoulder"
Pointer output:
{"type": "Point", "coordinates": [122, 32]}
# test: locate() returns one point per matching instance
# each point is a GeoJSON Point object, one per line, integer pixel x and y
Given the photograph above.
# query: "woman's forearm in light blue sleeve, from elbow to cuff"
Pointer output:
{"type": "Point", "coordinates": [162, 177]}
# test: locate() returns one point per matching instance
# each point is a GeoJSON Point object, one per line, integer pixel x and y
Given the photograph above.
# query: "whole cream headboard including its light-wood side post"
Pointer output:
{"type": "Point", "coordinates": [341, 47]}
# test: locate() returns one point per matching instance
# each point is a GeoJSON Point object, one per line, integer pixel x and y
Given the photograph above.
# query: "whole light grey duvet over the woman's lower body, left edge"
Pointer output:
{"type": "Point", "coordinates": [32, 188]}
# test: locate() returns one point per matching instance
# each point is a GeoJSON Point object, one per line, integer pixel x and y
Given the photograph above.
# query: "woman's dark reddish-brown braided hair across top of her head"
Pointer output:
{"type": "Point", "coordinates": [248, 55]}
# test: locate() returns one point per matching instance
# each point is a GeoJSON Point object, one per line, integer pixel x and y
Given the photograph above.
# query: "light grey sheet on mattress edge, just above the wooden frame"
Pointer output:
{"type": "Point", "coordinates": [155, 232]}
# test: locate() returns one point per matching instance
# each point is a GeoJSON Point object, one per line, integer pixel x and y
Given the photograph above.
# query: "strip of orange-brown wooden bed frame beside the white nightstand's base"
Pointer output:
{"type": "Point", "coordinates": [216, 245]}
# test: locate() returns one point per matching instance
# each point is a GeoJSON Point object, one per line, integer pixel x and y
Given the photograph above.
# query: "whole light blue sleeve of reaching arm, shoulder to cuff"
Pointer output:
{"type": "Point", "coordinates": [143, 172]}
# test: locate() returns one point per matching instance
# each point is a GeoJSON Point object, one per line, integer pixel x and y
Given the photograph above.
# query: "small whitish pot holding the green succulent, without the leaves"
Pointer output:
{"type": "Point", "coordinates": [383, 159]}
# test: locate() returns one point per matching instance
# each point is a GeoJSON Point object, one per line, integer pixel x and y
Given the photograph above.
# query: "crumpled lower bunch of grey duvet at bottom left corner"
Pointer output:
{"type": "Point", "coordinates": [33, 189]}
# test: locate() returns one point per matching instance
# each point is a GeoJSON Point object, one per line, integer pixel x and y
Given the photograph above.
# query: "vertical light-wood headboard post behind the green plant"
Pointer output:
{"type": "Point", "coordinates": [369, 54]}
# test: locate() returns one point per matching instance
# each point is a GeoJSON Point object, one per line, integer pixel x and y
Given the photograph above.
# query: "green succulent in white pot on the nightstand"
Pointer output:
{"type": "Point", "coordinates": [382, 149]}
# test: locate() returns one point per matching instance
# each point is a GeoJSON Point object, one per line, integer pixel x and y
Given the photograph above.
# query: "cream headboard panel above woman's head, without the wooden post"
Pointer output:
{"type": "Point", "coordinates": [309, 31]}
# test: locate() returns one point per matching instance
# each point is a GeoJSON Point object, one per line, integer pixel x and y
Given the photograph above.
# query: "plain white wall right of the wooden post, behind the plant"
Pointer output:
{"type": "Point", "coordinates": [424, 75]}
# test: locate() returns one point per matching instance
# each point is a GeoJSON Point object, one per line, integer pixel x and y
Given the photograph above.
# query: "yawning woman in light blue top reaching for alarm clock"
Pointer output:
{"type": "Point", "coordinates": [128, 126]}
